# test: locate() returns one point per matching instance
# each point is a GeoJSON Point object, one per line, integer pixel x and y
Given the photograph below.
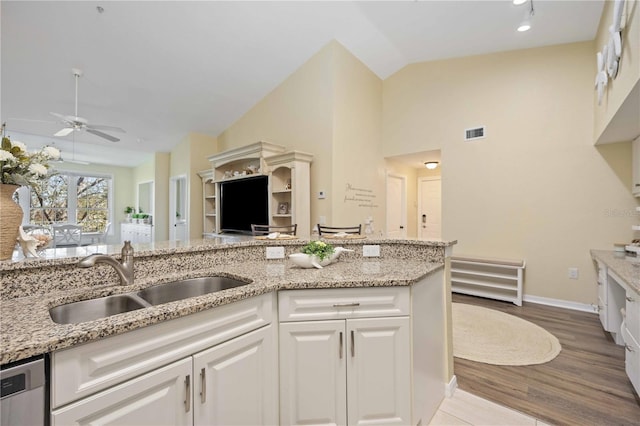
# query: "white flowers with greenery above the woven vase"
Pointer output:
{"type": "Point", "coordinates": [21, 167]}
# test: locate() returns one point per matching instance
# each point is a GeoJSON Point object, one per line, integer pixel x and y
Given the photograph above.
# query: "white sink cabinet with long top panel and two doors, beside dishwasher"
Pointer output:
{"type": "Point", "coordinates": [124, 376]}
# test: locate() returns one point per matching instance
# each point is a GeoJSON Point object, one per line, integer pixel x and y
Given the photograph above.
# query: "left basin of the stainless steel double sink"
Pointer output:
{"type": "Point", "coordinates": [92, 309]}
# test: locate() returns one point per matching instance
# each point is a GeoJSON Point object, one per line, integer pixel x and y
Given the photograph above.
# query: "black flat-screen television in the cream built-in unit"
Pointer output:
{"type": "Point", "coordinates": [243, 202]}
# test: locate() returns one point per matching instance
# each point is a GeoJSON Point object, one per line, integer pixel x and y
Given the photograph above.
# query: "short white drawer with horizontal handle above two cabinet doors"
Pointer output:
{"type": "Point", "coordinates": [323, 304]}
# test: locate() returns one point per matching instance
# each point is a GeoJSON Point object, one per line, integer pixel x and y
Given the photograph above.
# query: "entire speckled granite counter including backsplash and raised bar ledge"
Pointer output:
{"type": "Point", "coordinates": [30, 287]}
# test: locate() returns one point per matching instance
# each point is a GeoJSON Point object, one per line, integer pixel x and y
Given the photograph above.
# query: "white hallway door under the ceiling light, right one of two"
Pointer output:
{"type": "Point", "coordinates": [429, 209]}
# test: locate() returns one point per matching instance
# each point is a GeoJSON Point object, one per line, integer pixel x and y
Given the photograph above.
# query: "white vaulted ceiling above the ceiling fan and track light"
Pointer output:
{"type": "Point", "coordinates": [162, 69]}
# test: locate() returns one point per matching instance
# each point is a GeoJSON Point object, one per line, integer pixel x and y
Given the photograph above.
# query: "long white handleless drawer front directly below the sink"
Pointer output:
{"type": "Point", "coordinates": [85, 369]}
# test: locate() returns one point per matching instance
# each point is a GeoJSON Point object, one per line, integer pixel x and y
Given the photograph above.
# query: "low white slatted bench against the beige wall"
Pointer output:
{"type": "Point", "coordinates": [499, 279]}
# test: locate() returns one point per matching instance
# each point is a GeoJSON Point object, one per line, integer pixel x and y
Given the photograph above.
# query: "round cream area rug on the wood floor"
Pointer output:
{"type": "Point", "coordinates": [493, 337]}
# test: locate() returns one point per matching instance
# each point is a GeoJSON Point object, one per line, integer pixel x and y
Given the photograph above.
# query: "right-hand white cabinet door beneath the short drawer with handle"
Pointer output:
{"type": "Point", "coordinates": [379, 371]}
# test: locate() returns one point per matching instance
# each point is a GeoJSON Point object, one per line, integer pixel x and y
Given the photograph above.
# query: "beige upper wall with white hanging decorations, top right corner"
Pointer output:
{"type": "Point", "coordinates": [628, 76]}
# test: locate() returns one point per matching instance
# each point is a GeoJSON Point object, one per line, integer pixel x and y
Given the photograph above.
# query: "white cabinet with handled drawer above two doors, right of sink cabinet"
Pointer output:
{"type": "Point", "coordinates": [349, 369]}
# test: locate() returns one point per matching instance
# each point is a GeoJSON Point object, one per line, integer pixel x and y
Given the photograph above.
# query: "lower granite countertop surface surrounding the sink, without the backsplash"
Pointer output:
{"type": "Point", "coordinates": [27, 329]}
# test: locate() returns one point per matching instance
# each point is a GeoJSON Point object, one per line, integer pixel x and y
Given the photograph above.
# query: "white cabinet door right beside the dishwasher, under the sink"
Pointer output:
{"type": "Point", "coordinates": [161, 397]}
